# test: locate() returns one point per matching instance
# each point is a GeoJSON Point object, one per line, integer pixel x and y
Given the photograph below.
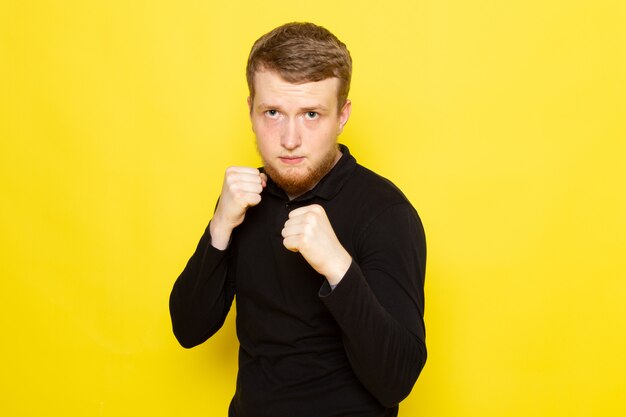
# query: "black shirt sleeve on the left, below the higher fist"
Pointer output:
{"type": "Point", "coordinates": [202, 294]}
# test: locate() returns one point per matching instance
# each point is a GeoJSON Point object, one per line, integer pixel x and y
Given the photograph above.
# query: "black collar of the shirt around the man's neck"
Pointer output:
{"type": "Point", "coordinates": [328, 186]}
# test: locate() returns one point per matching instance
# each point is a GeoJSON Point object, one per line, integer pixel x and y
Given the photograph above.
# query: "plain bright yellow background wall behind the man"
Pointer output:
{"type": "Point", "coordinates": [503, 122]}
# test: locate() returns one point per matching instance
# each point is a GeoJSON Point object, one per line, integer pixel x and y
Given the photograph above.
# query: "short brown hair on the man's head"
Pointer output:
{"type": "Point", "coordinates": [299, 53]}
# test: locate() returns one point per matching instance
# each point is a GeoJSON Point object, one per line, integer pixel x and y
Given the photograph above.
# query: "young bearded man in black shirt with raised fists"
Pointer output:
{"type": "Point", "coordinates": [326, 258]}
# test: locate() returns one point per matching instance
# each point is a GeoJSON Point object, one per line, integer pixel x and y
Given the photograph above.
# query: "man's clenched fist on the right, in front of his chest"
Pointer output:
{"type": "Point", "coordinates": [309, 232]}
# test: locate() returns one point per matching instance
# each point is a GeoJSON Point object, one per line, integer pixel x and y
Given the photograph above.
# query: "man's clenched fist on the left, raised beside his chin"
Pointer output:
{"type": "Point", "coordinates": [241, 189]}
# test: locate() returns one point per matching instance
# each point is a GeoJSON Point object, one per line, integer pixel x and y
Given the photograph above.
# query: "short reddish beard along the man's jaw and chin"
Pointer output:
{"type": "Point", "coordinates": [295, 183]}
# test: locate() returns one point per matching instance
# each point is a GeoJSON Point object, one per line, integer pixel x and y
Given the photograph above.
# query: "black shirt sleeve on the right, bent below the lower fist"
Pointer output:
{"type": "Point", "coordinates": [379, 305]}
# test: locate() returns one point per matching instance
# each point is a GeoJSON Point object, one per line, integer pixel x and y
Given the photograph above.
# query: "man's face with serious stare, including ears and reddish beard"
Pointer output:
{"type": "Point", "coordinates": [296, 127]}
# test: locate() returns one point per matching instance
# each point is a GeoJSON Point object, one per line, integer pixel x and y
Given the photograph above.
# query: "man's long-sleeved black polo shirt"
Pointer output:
{"type": "Point", "coordinates": [307, 350]}
